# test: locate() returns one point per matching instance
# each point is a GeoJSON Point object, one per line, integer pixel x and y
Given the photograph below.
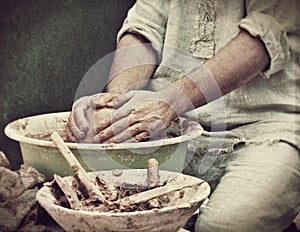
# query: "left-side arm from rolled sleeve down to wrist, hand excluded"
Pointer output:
{"type": "Point", "coordinates": [135, 58]}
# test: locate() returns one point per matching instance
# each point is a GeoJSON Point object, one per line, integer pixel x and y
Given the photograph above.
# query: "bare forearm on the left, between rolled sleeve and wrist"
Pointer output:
{"type": "Point", "coordinates": [133, 65]}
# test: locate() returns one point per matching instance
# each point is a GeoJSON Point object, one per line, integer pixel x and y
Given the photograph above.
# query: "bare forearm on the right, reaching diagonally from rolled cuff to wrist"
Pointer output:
{"type": "Point", "coordinates": [237, 63]}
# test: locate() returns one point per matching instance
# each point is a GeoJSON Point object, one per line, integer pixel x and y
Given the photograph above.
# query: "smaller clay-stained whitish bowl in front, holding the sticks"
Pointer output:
{"type": "Point", "coordinates": [169, 219]}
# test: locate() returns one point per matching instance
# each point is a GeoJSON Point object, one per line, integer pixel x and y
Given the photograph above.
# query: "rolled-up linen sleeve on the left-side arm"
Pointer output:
{"type": "Point", "coordinates": [149, 19]}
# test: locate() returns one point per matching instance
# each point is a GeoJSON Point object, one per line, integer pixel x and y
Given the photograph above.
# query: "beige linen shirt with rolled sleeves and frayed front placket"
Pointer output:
{"type": "Point", "coordinates": [185, 33]}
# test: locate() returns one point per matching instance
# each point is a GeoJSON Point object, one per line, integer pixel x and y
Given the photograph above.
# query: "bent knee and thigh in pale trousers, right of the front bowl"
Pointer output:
{"type": "Point", "coordinates": [260, 191]}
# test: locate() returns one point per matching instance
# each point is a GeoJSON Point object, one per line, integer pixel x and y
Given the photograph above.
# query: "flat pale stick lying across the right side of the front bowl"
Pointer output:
{"type": "Point", "coordinates": [176, 184]}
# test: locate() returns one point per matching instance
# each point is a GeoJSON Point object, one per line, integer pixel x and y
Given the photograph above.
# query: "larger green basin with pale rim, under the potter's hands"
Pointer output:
{"type": "Point", "coordinates": [33, 134]}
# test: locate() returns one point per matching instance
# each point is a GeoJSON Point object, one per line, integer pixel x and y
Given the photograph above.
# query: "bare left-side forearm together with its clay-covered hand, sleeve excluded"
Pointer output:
{"type": "Point", "coordinates": [133, 65]}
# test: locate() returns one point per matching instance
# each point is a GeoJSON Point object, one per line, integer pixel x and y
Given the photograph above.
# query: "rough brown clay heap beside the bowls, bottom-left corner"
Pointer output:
{"type": "Point", "coordinates": [18, 206]}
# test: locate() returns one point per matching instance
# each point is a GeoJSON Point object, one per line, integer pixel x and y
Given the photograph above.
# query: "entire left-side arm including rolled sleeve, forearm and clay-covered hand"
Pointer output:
{"type": "Point", "coordinates": [134, 62]}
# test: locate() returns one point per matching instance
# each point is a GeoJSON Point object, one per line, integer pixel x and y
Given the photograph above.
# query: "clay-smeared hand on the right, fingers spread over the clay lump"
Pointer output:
{"type": "Point", "coordinates": [140, 116]}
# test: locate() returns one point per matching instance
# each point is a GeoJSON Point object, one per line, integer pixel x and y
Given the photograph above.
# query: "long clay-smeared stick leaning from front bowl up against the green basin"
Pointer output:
{"type": "Point", "coordinates": [92, 190]}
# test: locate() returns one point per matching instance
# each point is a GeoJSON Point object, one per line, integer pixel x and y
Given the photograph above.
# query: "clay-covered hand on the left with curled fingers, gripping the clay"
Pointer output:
{"type": "Point", "coordinates": [84, 113]}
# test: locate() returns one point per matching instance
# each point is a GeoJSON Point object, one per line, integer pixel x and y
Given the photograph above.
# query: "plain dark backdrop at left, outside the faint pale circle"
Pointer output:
{"type": "Point", "coordinates": [46, 47]}
